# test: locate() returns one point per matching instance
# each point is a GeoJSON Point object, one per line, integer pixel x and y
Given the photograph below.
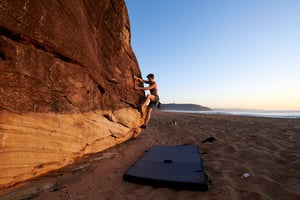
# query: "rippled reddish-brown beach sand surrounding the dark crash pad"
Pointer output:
{"type": "Point", "coordinates": [268, 149]}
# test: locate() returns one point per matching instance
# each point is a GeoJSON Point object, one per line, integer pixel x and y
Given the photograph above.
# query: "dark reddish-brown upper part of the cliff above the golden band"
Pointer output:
{"type": "Point", "coordinates": [66, 57]}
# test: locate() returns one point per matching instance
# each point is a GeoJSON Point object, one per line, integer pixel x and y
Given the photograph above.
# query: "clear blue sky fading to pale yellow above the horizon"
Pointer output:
{"type": "Point", "coordinates": [220, 53]}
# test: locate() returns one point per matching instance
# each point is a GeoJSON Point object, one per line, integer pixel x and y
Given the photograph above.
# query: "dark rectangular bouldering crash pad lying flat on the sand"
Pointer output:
{"type": "Point", "coordinates": [178, 167]}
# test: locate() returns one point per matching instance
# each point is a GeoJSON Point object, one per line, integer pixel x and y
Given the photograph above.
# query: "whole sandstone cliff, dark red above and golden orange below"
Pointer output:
{"type": "Point", "coordinates": [66, 83]}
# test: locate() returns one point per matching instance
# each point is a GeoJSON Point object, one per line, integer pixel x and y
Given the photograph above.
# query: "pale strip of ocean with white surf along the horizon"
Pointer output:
{"type": "Point", "coordinates": [253, 113]}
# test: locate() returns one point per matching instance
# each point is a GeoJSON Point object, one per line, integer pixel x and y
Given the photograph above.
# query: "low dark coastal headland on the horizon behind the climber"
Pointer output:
{"type": "Point", "coordinates": [184, 107]}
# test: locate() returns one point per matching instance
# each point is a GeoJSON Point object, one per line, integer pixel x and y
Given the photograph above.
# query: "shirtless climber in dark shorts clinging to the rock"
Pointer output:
{"type": "Point", "coordinates": [152, 97]}
